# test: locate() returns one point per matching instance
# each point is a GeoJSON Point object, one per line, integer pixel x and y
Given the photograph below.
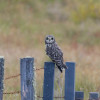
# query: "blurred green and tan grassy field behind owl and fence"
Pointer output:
{"type": "Point", "coordinates": [76, 27]}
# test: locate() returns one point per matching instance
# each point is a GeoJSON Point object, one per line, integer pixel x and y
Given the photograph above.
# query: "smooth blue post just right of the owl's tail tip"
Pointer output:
{"type": "Point", "coordinates": [70, 81]}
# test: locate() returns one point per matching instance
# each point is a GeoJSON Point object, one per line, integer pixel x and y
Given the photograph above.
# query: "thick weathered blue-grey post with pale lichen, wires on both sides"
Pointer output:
{"type": "Point", "coordinates": [27, 79]}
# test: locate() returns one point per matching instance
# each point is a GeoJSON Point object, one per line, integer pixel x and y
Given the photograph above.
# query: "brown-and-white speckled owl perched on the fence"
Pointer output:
{"type": "Point", "coordinates": [54, 52]}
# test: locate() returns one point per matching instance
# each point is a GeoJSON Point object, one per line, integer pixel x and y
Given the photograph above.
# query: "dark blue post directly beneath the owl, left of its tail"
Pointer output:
{"type": "Point", "coordinates": [48, 89]}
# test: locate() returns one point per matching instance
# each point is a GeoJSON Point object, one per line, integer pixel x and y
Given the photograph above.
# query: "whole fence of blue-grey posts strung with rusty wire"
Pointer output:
{"type": "Point", "coordinates": [27, 91]}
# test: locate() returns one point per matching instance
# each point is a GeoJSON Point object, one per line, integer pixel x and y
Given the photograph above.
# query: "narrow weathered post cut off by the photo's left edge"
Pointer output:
{"type": "Point", "coordinates": [1, 77]}
